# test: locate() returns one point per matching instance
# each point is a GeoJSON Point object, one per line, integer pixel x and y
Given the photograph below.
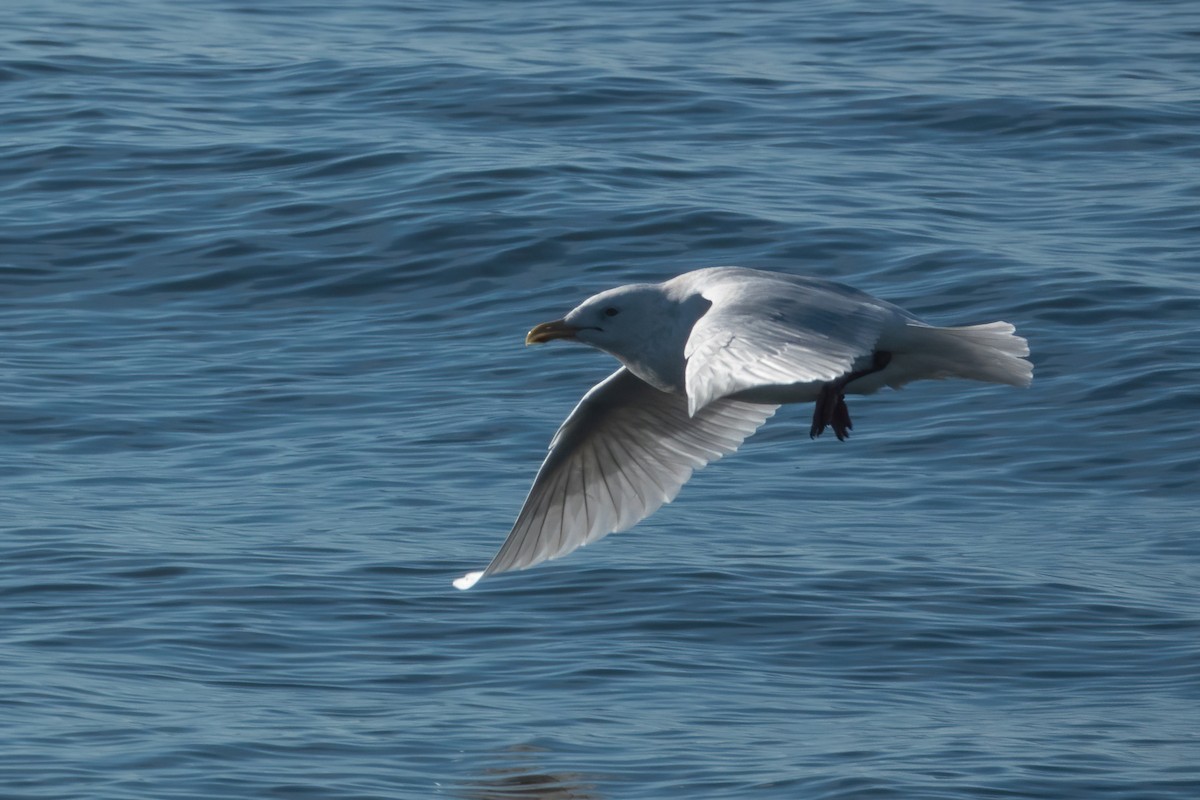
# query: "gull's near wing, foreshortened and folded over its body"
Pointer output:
{"type": "Point", "coordinates": [767, 330]}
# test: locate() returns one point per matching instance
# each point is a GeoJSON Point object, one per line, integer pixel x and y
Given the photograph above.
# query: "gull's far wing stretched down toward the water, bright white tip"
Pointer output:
{"type": "Point", "coordinates": [626, 450]}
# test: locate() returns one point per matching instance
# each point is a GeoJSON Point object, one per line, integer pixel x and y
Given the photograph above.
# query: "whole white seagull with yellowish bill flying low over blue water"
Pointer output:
{"type": "Point", "coordinates": [707, 358]}
